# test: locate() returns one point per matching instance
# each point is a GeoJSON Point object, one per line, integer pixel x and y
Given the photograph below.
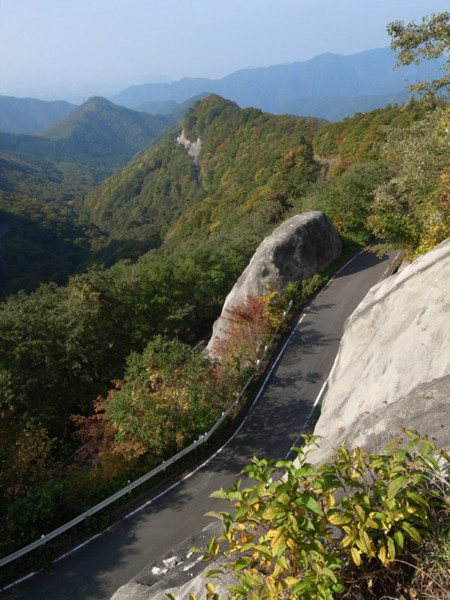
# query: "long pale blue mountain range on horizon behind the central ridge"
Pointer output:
{"type": "Point", "coordinates": [358, 82]}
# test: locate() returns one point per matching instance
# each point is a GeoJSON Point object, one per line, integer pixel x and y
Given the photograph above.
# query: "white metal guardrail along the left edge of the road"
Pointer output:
{"type": "Point", "coordinates": [95, 509]}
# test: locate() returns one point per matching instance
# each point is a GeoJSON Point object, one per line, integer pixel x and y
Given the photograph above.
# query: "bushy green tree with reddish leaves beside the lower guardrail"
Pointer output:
{"type": "Point", "coordinates": [169, 396]}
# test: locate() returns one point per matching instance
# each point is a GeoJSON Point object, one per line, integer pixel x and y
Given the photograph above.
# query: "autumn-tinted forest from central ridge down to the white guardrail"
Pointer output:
{"type": "Point", "coordinates": [107, 360]}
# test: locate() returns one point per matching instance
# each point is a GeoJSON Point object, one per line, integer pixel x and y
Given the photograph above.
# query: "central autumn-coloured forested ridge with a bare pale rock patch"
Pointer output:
{"type": "Point", "coordinates": [250, 167]}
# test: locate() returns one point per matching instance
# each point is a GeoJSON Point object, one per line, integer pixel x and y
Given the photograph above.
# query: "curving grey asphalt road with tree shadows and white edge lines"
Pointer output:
{"type": "Point", "coordinates": [98, 569]}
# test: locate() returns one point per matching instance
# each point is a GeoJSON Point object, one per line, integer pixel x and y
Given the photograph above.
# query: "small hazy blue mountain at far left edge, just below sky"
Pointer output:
{"type": "Point", "coordinates": [28, 115]}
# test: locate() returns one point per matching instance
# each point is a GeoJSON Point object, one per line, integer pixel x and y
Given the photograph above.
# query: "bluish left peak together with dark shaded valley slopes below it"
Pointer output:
{"type": "Point", "coordinates": [42, 176]}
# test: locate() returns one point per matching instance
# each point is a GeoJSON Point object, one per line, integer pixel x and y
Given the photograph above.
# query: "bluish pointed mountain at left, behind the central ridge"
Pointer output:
{"type": "Point", "coordinates": [76, 152]}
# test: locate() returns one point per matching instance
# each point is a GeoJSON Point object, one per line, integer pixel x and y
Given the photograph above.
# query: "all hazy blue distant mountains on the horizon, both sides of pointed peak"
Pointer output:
{"type": "Point", "coordinates": [330, 86]}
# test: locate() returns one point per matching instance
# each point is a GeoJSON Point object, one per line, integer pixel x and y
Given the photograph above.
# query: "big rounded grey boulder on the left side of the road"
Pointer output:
{"type": "Point", "coordinates": [302, 246]}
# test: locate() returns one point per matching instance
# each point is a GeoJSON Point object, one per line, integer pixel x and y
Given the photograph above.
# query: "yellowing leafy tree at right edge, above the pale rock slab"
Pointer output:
{"type": "Point", "coordinates": [413, 207]}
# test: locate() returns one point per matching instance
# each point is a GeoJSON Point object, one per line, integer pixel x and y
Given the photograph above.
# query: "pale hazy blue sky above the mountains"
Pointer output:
{"type": "Point", "coordinates": [73, 49]}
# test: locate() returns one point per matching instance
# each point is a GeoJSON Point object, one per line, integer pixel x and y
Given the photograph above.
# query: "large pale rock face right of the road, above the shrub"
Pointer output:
{"type": "Point", "coordinates": [393, 365]}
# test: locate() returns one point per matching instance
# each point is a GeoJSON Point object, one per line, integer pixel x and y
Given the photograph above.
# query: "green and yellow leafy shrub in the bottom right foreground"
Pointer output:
{"type": "Point", "coordinates": [293, 537]}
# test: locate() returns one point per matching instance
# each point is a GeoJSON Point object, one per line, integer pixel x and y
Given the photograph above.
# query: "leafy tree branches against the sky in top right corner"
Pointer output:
{"type": "Point", "coordinates": [429, 40]}
